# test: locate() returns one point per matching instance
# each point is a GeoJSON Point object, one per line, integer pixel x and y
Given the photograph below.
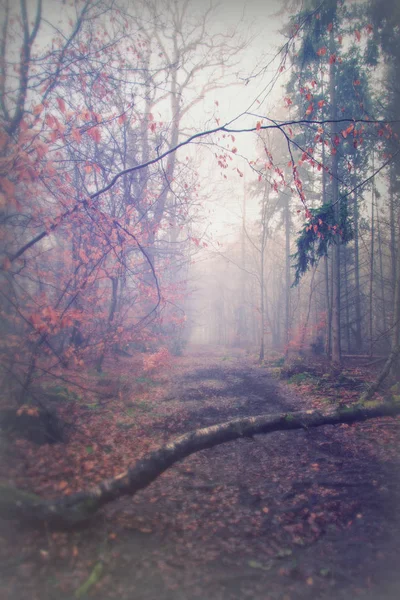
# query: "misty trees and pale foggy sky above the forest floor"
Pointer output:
{"type": "Point", "coordinates": [167, 174]}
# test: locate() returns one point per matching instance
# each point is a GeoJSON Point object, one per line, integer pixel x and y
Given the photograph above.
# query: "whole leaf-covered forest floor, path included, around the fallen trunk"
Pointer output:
{"type": "Point", "coordinates": [295, 515]}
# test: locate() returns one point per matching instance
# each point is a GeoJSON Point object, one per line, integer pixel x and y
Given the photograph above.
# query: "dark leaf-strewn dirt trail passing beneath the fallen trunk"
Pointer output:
{"type": "Point", "coordinates": [288, 516]}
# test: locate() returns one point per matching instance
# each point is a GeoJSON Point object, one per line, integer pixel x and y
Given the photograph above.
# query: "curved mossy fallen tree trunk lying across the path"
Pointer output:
{"type": "Point", "coordinates": [79, 507]}
